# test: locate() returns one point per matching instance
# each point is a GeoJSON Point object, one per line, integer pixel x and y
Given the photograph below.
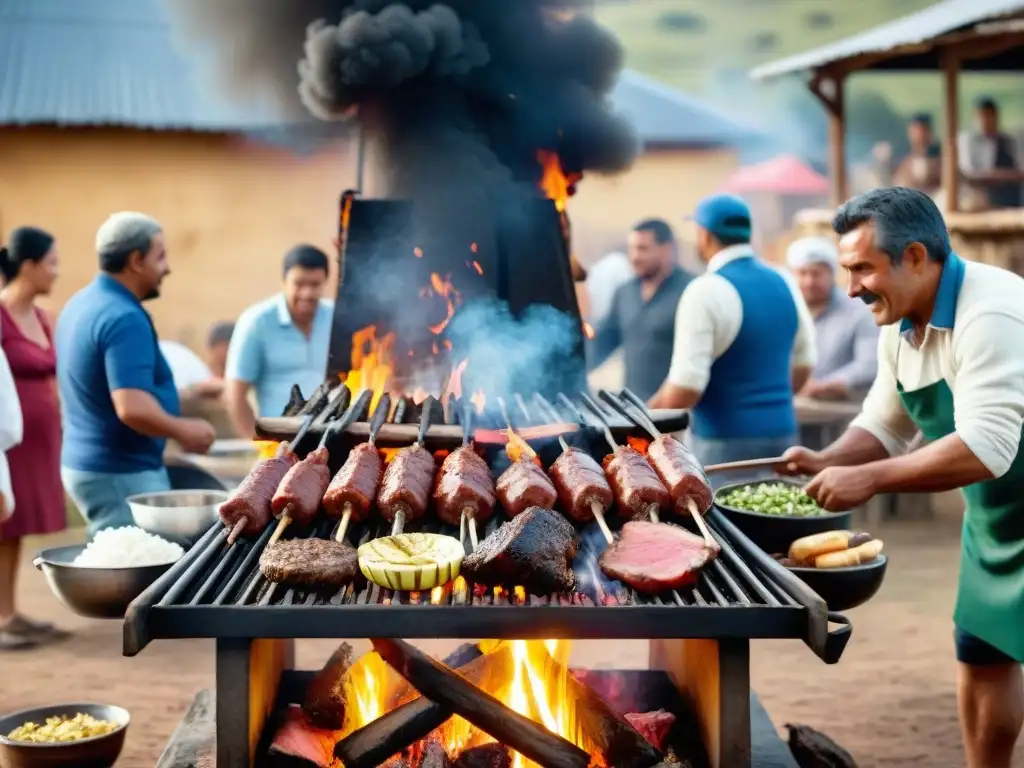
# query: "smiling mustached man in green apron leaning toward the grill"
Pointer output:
{"type": "Point", "coordinates": [952, 367]}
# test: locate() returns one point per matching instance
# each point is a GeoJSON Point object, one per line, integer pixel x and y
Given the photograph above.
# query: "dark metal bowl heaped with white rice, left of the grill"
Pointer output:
{"type": "Point", "coordinates": [101, 579]}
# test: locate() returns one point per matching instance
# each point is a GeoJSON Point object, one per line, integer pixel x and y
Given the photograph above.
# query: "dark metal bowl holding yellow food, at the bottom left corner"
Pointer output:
{"type": "Point", "coordinates": [99, 752]}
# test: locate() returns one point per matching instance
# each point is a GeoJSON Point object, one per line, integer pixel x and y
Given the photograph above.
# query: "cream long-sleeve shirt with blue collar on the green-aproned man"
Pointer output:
{"type": "Point", "coordinates": [976, 344]}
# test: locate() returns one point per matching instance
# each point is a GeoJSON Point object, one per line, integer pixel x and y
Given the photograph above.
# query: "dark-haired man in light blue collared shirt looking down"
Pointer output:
{"type": "Point", "coordinates": [283, 340]}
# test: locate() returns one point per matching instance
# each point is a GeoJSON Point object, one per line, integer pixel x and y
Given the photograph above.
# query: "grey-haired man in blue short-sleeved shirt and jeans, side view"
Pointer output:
{"type": "Point", "coordinates": [119, 399]}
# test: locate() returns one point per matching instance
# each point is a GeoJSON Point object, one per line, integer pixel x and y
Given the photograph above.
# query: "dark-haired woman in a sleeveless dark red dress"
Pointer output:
{"type": "Point", "coordinates": [29, 266]}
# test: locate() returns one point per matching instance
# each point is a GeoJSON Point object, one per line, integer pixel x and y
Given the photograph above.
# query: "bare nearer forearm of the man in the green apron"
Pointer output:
{"type": "Point", "coordinates": [945, 465]}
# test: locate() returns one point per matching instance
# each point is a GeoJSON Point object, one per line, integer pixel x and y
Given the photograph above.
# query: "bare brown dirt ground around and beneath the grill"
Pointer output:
{"type": "Point", "coordinates": [891, 701]}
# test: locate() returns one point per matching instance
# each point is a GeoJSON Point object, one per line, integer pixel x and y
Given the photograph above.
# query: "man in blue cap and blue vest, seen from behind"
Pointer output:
{"type": "Point", "coordinates": [745, 342]}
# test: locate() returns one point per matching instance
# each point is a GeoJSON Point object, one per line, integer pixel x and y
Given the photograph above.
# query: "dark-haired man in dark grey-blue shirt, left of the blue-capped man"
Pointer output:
{"type": "Point", "coordinates": [642, 319]}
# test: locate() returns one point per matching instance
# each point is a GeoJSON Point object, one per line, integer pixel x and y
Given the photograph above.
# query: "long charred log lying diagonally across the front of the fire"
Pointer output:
{"type": "Point", "coordinates": [448, 688]}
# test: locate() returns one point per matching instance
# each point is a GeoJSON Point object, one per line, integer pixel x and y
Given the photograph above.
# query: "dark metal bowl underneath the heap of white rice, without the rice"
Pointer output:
{"type": "Point", "coordinates": [95, 593]}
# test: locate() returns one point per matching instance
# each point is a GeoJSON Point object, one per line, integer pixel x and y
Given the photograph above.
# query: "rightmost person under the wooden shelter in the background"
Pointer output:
{"type": "Point", "coordinates": [989, 158]}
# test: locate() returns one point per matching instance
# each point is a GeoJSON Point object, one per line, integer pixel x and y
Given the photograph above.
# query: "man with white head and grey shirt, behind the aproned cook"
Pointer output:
{"type": "Point", "coordinates": [846, 335]}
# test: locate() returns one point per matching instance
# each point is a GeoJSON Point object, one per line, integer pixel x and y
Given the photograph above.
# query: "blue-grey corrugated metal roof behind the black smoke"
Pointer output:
{"type": "Point", "coordinates": [116, 63]}
